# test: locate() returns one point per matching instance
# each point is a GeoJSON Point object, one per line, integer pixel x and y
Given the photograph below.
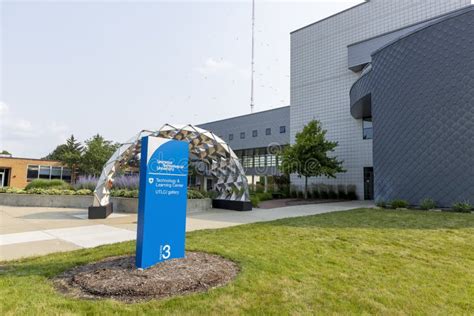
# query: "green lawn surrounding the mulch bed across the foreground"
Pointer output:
{"type": "Point", "coordinates": [364, 261]}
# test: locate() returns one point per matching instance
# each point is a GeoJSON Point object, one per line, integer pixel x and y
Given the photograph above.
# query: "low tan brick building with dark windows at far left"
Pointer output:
{"type": "Point", "coordinates": [18, 172]}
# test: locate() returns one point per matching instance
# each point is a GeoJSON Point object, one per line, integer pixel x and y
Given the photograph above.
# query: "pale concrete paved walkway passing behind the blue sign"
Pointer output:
{"type": "Point", "coordinates": [30, 231]}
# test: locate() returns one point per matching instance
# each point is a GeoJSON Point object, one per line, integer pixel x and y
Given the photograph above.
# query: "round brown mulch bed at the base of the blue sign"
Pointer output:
{"type": "Point", "coordinates": [117, 278]}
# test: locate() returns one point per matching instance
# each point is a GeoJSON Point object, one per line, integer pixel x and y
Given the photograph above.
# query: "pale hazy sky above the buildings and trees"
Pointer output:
{"type": "Point", "coordinates": [117, 67]}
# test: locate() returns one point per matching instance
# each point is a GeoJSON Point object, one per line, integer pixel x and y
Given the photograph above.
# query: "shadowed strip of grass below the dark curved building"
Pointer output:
{"type": "Point", "coordinates": [380, 219]}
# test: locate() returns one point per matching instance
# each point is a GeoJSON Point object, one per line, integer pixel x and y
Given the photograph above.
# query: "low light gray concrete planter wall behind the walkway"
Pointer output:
{"type": "Point", "coordinates": [123, 205]}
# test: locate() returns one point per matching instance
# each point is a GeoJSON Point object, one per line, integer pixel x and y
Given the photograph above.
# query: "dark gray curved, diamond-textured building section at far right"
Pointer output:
{"type": "Point", "coordinates": [419, 91]}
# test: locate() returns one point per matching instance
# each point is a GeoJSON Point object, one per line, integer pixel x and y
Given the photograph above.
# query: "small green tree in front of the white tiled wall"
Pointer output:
{"type": "Point", "coordinates": [308, 157]}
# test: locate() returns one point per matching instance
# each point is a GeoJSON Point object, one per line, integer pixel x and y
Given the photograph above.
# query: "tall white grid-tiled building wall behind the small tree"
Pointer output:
{"type": "Point", "coordinates": [328, 56]}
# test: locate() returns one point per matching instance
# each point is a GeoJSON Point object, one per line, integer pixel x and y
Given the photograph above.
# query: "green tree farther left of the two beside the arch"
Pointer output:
{"type": "Point", "coordinates": [70, 154]}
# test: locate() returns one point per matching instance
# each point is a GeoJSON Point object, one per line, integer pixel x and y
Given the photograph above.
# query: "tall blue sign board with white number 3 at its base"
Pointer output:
{"type": "Point", "coordinates": [162, 201]}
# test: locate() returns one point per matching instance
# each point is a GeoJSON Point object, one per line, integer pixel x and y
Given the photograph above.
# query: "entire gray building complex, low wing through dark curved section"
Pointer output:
{"type": "Point", "coordinates": [392, 83]}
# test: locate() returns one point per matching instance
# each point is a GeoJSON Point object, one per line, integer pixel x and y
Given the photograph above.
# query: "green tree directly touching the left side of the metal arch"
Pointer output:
{"type": "Point", "coordinates": [97, 152]}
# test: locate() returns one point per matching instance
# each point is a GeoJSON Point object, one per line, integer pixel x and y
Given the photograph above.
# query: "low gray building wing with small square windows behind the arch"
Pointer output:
{"type": "Point", "coordinates": [256, 139]}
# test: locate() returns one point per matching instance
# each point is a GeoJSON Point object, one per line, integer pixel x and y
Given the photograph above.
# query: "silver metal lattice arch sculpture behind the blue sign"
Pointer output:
{"type": "Point", "coordinates": [205, 146]}
